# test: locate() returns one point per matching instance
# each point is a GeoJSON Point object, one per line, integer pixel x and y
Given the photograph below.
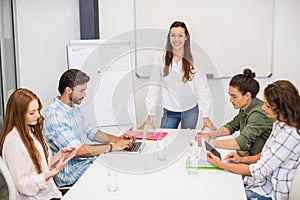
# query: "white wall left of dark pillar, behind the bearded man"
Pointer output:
{"type": "Point", "coordinates": [43, 29]}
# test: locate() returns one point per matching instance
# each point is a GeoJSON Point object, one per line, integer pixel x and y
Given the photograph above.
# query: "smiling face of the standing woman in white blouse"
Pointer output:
{"type": "Point", "coordinates": [177, 38]}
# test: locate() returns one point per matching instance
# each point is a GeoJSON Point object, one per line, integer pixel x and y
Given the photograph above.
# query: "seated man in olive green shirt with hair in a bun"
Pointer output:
{"type": "Point", "coordinates": [254, 126]}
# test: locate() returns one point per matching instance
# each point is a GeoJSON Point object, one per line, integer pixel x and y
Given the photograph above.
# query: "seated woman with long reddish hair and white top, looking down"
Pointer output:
{"type": "Point", "coordinates": [24, 150]}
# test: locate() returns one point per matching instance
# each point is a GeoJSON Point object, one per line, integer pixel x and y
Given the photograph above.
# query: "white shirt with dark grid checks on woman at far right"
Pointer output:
{"type": "Point", "coordinates": [273, 173]}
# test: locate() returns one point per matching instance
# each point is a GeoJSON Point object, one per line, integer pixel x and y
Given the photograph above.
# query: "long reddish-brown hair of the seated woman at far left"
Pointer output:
{"type": "Point", "coordinates": [16, 109]}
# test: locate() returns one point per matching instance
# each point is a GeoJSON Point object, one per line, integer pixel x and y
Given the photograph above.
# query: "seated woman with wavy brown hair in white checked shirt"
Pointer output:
{"type": "Point", "coordinates": [269, 174]}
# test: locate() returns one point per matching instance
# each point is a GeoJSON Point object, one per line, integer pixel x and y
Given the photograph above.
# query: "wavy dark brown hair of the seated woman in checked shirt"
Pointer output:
{"type": "Point", "coordinates": [284, 98]}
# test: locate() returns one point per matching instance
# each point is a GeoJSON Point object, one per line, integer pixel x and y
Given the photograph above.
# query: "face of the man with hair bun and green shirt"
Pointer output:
{"type": "Point", "coordinates": [238, 100]}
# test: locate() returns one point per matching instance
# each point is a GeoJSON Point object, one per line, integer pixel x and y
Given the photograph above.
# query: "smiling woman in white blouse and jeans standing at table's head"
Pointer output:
{"type": "Point", "coordinates": [183, 88]}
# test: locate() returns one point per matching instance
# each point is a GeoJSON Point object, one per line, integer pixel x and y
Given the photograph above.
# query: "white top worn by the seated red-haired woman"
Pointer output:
{"type": "Point", "coordinates": [29, 184]}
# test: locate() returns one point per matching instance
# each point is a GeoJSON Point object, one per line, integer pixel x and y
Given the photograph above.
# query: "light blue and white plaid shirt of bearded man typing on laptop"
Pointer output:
{"type": "Point", "coordinates": [66, 126]}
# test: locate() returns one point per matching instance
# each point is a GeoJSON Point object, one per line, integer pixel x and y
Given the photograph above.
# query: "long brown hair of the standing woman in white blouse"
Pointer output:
{"type": "Point", "coordinates": [187, 60]}
